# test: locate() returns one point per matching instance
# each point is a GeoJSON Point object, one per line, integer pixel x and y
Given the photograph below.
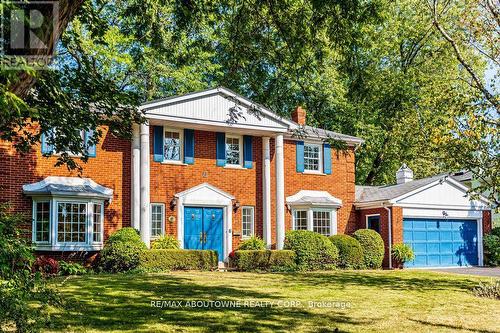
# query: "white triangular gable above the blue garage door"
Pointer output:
{"type": "Point", "coordinates": [445, 193]}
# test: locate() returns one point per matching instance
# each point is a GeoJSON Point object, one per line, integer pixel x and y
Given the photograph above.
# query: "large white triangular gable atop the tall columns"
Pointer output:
{"type": "Point", "coordinates": [219, 107]}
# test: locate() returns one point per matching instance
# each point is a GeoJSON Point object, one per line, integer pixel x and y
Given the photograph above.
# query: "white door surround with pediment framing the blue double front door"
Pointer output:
{"type": "Point", "coordinates": [218, 199]}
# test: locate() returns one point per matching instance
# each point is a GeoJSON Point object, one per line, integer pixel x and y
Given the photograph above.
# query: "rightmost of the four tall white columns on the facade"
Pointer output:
{"type": "Point", "coordinates": [280, 193]}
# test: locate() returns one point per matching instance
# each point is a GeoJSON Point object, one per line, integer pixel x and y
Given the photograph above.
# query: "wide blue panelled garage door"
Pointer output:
{"type": "Point", "coordinates": [441, 242]}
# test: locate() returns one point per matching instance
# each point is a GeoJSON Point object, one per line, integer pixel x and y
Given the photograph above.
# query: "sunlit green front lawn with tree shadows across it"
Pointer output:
{"type": "Point", "coordinates": [388, 301]}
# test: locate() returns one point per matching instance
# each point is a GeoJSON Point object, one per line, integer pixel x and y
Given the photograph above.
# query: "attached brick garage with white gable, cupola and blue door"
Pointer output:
{"type": "Point", "coordinates": [434, 216]}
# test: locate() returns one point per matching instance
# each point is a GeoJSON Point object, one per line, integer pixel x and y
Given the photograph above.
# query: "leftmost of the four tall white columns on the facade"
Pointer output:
{"type": "Point", "coordinates": [136, 178]}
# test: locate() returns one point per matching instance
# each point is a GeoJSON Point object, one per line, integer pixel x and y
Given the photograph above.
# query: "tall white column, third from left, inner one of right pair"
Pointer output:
{"type": "Point", "coordinates": [266, 191]}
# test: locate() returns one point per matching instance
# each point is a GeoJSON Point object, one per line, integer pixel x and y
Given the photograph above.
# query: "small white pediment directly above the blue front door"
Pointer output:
{"type": "Point", "coordinates": [205, 194]}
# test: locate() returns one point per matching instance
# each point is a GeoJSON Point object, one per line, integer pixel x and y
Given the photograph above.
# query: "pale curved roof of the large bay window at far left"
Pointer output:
{"type": "Point", "coordinates": [68, 186]}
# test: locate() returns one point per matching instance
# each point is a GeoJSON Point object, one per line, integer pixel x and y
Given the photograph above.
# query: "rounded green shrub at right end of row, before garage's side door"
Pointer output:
{"type": "Point", "coordinates": [373, 247]}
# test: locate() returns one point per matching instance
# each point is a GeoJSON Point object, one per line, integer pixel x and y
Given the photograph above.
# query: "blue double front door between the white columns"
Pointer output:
{"type": "Point", "coordinates": [203, 229]}
